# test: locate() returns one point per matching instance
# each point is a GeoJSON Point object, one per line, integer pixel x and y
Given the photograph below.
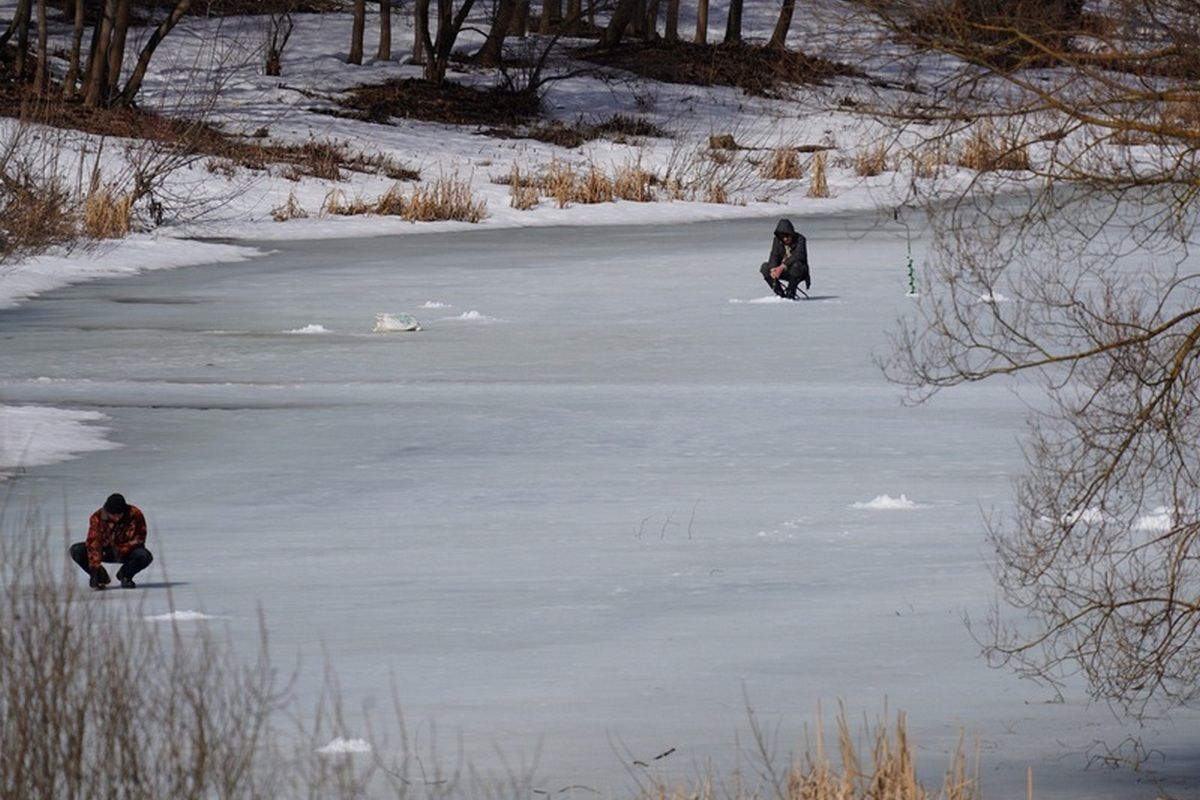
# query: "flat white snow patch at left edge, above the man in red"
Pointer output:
{"type": "Point", "coordinates": [35, 436]}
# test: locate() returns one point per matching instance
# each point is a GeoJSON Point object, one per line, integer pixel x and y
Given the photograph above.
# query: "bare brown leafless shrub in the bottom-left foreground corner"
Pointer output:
{"type": "Point", "coordinates": [98, 705]}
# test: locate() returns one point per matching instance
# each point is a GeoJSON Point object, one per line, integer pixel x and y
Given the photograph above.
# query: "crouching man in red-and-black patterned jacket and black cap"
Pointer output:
{"type": "Point", "coordinates": [117, 533]}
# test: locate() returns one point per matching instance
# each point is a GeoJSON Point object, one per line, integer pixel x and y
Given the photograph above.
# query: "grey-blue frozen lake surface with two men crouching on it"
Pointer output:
{"type": "Point", "coordinates": [603, 501]}
